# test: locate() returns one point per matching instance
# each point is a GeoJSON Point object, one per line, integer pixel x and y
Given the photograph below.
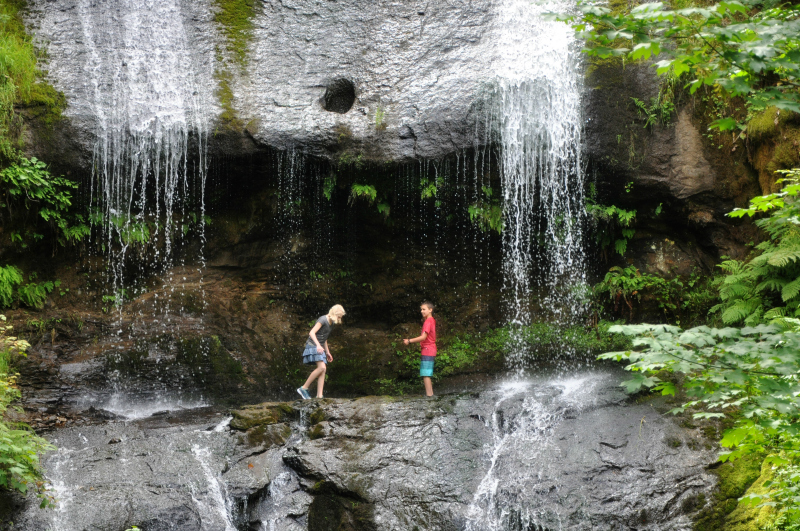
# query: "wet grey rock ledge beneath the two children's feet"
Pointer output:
{"type": "Point", "coordinates": [553, 452]}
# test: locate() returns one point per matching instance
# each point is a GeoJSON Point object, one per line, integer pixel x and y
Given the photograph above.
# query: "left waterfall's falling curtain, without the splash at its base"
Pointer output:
{"type": "Point", "coordinates": [150, 155]}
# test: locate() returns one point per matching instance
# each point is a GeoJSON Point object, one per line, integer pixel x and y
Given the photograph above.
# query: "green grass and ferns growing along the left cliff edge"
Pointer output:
{"type": "Point", "coordinates": [34, 204]}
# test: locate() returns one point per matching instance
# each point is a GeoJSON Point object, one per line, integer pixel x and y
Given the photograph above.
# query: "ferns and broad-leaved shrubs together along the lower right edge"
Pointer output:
{"type": "Point", "coordinates": [748, 375]}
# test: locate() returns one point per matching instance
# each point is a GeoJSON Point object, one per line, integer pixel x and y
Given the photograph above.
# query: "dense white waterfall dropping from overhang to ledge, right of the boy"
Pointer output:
{"type": "Point", "coordinates": [538, 122]}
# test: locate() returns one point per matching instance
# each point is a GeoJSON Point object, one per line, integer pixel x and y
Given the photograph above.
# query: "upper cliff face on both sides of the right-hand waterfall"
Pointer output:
{"type": "Point", "coordinates": [385, 81]}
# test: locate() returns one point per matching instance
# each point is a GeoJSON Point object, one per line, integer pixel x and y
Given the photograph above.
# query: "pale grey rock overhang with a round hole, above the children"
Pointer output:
{"type": "Point", "coordinates": [401, 79]}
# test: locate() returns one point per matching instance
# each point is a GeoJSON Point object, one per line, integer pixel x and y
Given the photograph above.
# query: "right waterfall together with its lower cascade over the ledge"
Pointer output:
{"type": "Point", "coordinates": [538, 123]}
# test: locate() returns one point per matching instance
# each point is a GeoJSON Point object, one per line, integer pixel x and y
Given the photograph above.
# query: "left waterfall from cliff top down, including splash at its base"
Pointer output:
{"type": "Point", "coordinates": [149, 166]}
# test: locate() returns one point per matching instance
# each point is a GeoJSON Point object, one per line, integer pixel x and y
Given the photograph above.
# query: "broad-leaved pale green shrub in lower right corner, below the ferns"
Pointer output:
{"type": "Point", "coordinates": [748, 374]}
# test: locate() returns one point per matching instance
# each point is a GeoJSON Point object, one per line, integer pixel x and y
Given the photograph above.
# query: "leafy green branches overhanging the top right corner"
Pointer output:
{"type": "Point", "coordinates": [739, 51]}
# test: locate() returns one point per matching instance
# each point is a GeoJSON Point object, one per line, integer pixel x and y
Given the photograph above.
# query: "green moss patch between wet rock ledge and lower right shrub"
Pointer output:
{"type": "Point", "coordinates": [735, 478]}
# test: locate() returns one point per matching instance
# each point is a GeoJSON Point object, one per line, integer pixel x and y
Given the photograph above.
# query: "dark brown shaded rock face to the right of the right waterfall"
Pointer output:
{"type": "Point", "coordinates": [681, 179]}
